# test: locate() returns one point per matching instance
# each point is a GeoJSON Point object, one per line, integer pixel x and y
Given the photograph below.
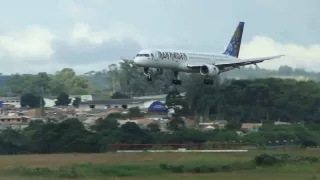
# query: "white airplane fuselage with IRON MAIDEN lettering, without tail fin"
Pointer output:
{"type": "Point", "coordinates": [177, 60]}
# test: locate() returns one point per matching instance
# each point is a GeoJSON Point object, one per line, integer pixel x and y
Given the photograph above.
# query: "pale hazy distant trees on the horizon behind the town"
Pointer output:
{"type": "Point", "coordinates": [124, 77]}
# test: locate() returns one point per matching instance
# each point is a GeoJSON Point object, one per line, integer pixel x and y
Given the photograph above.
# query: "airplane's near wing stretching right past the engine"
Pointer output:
{"type": "Point", "coordinates": [236, 64]}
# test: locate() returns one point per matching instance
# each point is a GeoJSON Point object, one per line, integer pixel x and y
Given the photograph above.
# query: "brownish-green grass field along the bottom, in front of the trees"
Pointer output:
{"type": "Point", "coordinates": [147, 166]}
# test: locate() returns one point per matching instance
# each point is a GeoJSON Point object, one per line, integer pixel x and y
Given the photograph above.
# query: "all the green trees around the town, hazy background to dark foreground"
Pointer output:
{"type": "Point", "coordinates": [238, 101]}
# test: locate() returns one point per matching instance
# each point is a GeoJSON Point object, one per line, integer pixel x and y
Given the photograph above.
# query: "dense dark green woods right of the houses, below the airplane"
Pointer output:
{"type": "Point", "coordinates": [260, 100]}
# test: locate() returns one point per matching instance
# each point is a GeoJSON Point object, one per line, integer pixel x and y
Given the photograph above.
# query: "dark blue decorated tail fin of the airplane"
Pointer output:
{"type": "Point", "coordinates": [233, 48]}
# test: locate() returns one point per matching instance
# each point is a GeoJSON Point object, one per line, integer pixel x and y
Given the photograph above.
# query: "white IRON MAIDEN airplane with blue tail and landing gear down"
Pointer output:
{"type": "Point", "coordinates": [209, 65]}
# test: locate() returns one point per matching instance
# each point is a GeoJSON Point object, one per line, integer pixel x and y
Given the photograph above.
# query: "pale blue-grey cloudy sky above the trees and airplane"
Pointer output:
{"type": "Point", "coordinates": [85, 35]}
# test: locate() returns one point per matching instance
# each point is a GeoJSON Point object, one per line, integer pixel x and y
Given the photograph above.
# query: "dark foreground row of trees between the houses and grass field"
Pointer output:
{"type": "Point", "coordinates": [73, 136]}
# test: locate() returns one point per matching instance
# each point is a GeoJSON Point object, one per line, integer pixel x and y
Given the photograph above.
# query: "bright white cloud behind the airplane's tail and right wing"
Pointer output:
{"type": "Point", "coordinates": [297, 56]}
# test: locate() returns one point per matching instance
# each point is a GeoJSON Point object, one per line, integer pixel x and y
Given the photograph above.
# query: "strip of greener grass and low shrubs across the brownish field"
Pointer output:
{"type": "Point", "coordinates": [138, 169]}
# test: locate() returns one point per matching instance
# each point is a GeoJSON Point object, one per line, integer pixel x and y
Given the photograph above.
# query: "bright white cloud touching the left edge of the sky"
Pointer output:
{"type": "Point", "coordinates": [33, 42]}
